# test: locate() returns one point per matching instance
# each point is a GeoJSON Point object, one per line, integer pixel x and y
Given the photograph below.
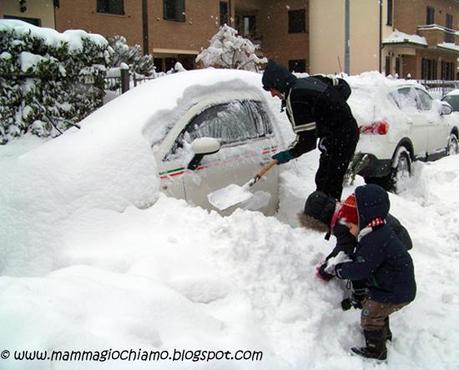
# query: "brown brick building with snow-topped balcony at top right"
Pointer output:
{"type": "Point", "coordinates": [435, 55]}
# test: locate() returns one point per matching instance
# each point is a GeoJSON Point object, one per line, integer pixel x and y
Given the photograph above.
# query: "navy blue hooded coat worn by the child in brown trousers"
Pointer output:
{"type": "Point", "coordinates": [380, 257]}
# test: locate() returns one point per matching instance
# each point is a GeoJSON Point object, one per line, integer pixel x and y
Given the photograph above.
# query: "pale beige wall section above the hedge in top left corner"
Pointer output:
{"type": "Point", "coordinates": [38, 9]}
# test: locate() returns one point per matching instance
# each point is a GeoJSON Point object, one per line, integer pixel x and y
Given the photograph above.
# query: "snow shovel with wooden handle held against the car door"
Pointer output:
{"type": "Point", "coordinates": [234, 194]}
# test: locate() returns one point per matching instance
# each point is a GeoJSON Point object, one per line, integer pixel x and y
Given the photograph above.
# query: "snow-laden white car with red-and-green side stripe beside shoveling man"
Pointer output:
{"type": "Point", "coordinates": [208, 129]}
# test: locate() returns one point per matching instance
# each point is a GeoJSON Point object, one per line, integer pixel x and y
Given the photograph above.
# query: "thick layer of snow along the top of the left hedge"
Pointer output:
{"type": "Point", "coordinates": [52, 37]}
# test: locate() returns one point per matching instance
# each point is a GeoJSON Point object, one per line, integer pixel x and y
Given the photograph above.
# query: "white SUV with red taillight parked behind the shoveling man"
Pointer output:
{"type": "Point", "coordinates": [399, 123]}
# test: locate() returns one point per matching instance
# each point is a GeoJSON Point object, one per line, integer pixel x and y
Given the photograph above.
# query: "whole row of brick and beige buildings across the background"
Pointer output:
{"type": "Point", "coordinates": [415, 37]}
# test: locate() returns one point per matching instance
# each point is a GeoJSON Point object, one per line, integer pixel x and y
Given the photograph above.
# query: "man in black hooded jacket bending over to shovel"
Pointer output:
{"type": "Point", "coordinates": [317, 108]}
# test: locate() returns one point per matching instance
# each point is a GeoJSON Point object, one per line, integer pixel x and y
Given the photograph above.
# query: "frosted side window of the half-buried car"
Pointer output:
{"type": "Point", "coordinates": [233, 122]}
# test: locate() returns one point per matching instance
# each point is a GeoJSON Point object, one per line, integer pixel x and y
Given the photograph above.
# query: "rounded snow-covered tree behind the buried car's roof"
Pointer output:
{"type": "Point", "coordinates": [228, 50]}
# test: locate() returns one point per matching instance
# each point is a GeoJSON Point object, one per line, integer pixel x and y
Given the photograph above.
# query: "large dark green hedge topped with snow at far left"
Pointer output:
{"type": "Point", "coordinates": [48, 80]}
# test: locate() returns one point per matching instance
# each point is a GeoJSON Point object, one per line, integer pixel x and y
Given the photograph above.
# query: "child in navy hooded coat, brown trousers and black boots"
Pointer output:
{"type": "Point", "coordinates": [383, 261]}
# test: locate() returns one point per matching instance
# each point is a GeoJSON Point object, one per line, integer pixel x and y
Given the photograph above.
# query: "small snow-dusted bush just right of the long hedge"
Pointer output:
{"type": "Point", "coordinates": [132, 56]}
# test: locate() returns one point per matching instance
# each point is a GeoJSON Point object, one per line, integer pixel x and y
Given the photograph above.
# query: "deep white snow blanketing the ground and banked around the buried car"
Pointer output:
{"type": "Point", "coordinates": [95, 258]}
